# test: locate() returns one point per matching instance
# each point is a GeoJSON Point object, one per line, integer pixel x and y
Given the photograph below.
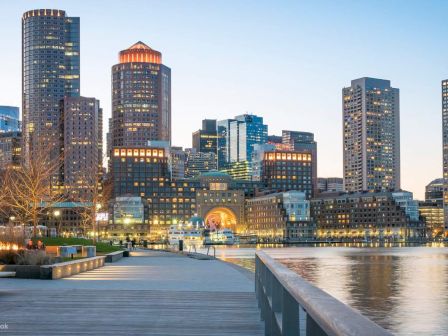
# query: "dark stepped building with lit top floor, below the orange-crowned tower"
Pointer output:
{"type": "Point", "coordinates": [144, 172]}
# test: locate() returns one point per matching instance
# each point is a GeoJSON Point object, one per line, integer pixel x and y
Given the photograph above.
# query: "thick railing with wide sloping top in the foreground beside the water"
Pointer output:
{"type": "Point", "coordinates": [292, 306]}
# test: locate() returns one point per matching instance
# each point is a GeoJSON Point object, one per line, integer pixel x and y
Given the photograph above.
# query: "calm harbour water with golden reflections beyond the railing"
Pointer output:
{"type": "Point", "coordinates": [403, 289]}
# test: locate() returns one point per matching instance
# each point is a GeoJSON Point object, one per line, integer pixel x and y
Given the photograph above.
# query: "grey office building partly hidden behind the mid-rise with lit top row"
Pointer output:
{"type": "Point", "coordinates": [303, 142]}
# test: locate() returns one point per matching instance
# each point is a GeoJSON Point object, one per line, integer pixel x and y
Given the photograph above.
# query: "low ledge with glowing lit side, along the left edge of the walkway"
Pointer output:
{"type": "Point", "coordinates": [69, 268]}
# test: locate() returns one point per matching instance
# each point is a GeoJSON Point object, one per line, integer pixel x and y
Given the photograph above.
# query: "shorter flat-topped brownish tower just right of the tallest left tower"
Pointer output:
{"type": "Point", "coordinates": [83, 147]}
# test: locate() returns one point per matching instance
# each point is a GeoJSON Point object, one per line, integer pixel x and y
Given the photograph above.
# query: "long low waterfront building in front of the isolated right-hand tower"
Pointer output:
{"type": "Point", "coordinates": [367, 216]}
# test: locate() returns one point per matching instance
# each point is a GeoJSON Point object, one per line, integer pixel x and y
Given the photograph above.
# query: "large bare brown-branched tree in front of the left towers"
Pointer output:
{"type": "Point", "coordinates": [32, 188]}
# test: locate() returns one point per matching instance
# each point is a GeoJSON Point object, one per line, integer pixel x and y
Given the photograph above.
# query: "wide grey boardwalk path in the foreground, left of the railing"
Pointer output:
{"type": "Point", "coordinates": [152, 293]}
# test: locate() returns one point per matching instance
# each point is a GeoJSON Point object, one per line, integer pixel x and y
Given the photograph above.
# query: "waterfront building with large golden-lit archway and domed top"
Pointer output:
{"type": "Point", "coordinates": [219, 203]}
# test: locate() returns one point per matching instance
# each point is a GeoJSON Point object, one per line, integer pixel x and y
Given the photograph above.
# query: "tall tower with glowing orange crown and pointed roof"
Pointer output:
{"type": "Point", "coordinates": [141, 97]}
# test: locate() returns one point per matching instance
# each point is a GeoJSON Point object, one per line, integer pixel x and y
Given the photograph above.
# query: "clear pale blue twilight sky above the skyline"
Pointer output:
{"type": "Point", "coordinates": [284, 60]}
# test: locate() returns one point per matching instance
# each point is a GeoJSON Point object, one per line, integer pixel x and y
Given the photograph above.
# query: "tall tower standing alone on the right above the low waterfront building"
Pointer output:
{"type": "Point", "coordinates": [371, 135]}
